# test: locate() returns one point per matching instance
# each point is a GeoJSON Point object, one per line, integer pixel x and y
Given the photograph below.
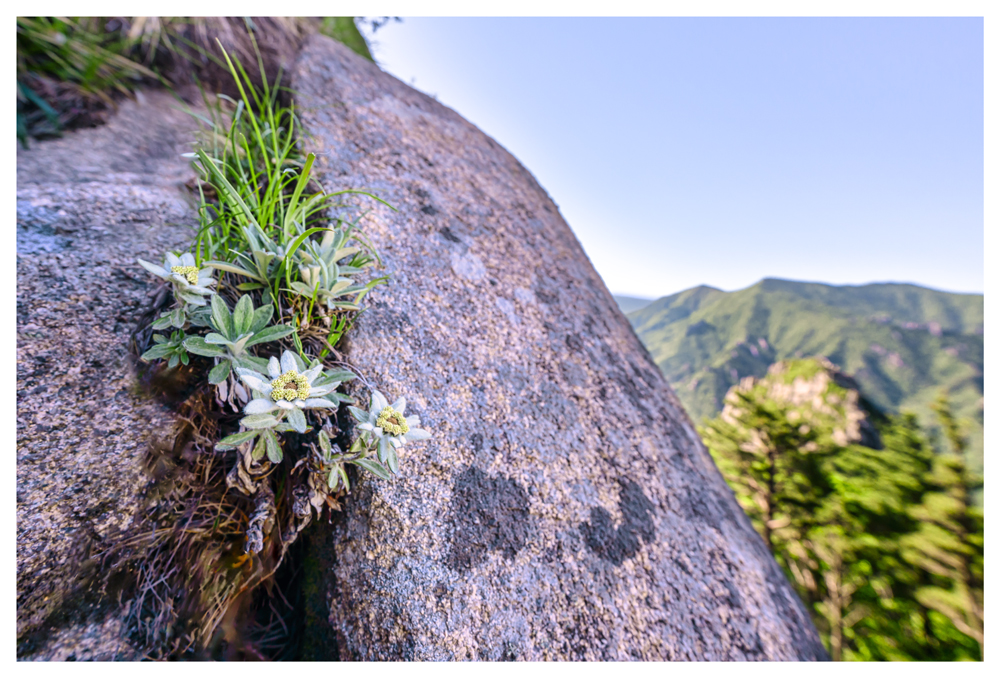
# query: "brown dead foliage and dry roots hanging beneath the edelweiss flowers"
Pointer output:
{"type": "Point", "coordinates": [196, 573]}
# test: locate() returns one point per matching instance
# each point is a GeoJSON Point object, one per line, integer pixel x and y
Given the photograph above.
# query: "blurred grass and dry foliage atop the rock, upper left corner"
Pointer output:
{"type": "Point", "coordinates": [71, 70]}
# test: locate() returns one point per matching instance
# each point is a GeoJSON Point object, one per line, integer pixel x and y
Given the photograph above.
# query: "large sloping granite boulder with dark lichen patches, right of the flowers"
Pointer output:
{"type": "Point", "coordinates": [565, 508]}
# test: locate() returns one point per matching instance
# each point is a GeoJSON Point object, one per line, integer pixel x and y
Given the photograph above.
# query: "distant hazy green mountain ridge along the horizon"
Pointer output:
{"type": "Point", "coordinates": [902, 342]}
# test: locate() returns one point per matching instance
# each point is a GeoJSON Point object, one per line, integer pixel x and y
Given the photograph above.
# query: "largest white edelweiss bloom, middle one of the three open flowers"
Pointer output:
{"type": "Point", "coordinates": [286, 390]}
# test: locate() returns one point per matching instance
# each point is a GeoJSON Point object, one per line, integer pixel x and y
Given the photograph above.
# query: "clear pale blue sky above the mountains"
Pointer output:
{"type": "Point", "coordinates": [721, 151]}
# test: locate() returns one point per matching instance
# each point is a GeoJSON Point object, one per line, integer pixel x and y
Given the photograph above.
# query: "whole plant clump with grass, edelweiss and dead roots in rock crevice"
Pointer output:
{"type": "Point", "coordinates": [276, 276]}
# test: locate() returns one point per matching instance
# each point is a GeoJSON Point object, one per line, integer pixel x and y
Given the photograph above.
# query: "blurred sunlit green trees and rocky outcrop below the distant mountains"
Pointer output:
{"type": "Point", "coordinates": [877, 532]}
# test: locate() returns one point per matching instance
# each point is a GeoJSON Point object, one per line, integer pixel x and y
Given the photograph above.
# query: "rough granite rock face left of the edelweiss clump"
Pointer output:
{"type": "Point", "coordinates": [87, 206]}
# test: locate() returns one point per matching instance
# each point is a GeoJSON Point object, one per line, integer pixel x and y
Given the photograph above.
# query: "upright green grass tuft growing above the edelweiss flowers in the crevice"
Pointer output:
{"type": "Point", "coordinates": [265, 223]}
